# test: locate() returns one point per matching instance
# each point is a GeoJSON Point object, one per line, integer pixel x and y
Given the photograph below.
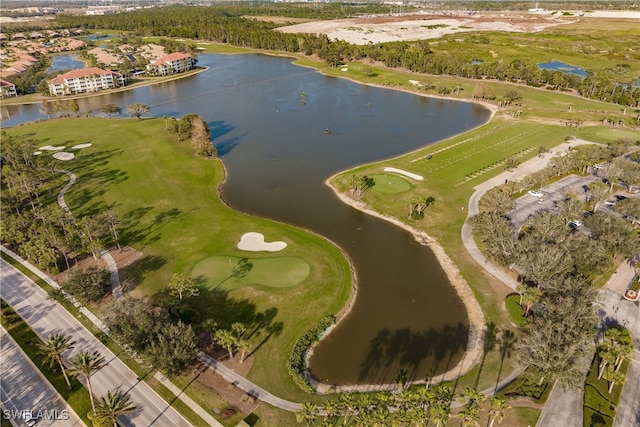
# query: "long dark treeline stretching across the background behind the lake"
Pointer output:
{"type": "Point", "coordinates": [229, 26]}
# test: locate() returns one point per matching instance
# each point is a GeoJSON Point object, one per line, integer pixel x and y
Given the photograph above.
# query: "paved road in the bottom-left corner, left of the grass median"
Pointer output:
{"type": "Point", "coordinates": [24, 388]}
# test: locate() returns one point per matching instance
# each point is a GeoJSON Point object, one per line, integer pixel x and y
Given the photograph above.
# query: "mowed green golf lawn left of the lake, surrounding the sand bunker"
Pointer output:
{"type": "Point", "coordinates": [168, 202]}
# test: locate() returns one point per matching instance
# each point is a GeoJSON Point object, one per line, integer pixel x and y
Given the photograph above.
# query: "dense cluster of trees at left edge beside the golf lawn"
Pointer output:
{"type": "Point", "coordinates": [32, 225]}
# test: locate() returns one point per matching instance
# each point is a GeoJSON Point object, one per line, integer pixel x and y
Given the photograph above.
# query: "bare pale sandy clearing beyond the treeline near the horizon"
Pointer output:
{"type": "Point", "coordinates": [381, 29]}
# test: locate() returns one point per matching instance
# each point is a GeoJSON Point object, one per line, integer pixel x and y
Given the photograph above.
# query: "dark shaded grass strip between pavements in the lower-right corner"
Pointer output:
{"type": "Point", "coordinates": [600, 405]}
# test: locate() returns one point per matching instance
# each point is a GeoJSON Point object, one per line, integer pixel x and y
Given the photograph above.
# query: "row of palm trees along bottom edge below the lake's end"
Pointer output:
{"type": "Point", "coordinates": [417, 407]}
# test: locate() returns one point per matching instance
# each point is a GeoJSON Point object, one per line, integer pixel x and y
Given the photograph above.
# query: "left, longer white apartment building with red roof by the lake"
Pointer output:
{"type": "Point", "coordinates": [85, 80]}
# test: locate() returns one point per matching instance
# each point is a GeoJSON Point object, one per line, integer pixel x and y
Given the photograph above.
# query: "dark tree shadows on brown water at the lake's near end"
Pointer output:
{"type": "Point", "coordinates": [403, 348]}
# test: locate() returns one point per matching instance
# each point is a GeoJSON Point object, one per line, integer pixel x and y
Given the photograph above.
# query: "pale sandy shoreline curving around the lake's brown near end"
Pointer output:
{"type": "Point", "coordinates": [475, 316]}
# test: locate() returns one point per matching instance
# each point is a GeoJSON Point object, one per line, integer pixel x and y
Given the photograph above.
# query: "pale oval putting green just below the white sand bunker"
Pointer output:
{"type": "Point", "coordinates": [279, 272]}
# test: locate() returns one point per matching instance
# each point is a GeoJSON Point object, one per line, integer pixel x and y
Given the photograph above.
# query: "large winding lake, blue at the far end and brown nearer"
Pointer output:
{"type": "Point", "coordinates": [277, 156]}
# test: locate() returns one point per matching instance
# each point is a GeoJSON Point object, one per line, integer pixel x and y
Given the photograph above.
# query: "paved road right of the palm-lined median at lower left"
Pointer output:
{"type": "Point", "coordinates": [46, 317]}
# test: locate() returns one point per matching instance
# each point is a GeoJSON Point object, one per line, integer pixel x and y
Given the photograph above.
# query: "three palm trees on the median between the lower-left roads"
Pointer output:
{"type": "Point", "coordinates": [105, 409]}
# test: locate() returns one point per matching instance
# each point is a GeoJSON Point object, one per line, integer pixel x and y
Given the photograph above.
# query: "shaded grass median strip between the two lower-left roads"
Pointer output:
{"type": "Point", "coordinates": [77, 397]}
